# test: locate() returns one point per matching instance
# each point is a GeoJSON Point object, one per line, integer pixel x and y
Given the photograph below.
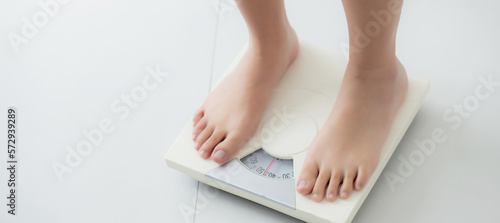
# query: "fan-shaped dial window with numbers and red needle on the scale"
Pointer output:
{"type": "Point", "coordinates": [261, 163]}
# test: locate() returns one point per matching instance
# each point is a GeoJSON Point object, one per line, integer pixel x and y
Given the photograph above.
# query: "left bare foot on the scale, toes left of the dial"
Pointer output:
{"type": "Point", "coordinates": [231, 113]}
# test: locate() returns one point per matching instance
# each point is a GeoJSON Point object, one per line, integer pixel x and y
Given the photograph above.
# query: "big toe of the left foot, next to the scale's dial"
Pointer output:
{"type": "Point", "coordinates": [226, 149]}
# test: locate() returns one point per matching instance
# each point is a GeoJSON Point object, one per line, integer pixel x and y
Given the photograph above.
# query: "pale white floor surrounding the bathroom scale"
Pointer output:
{"type": "Point", "coordinates": [73, 73]}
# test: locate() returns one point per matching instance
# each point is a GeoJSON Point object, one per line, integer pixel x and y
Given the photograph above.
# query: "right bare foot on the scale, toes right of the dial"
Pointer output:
{"type": "Point", "coordinates": [346, 151]}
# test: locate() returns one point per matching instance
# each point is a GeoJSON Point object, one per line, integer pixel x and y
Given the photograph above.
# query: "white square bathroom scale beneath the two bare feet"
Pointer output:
{"type": "Point", "coordinates": [266, 168]}
